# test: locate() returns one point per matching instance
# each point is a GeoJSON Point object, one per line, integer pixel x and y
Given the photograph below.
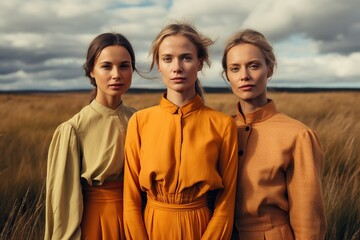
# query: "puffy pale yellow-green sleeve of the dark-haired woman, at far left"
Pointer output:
{"type": "Point", "coordinates": [64, 201]}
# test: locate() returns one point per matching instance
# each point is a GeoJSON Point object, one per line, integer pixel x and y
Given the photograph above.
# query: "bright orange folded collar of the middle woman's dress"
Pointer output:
{"type": "Point", "coordinates": [194, 104]}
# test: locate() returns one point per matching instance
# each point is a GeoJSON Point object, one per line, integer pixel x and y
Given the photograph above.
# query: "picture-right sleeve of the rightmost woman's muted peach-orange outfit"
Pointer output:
{"type": "Point", "coordinates": [303, 177]}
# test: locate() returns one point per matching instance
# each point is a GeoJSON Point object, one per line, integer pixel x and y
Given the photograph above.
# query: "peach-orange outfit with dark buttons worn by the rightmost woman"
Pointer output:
{"type": "Point", "coordinates": [279, 191]}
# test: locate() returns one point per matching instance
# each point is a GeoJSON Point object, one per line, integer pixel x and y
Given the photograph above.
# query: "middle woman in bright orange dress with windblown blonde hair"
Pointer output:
{"type": "Point", "coordinates": [179, 151]}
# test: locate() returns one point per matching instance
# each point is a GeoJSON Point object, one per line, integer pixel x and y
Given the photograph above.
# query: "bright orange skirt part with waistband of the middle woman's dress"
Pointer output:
{"type": "Point", "coordinates": [176, 221]}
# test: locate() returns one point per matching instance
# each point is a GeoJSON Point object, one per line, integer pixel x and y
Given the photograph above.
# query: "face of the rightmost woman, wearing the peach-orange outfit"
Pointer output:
{"type": "Point", "coordinates": [248, 73]}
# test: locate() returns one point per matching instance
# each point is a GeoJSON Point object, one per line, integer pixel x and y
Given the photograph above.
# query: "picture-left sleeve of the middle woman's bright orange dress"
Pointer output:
{"type": "Point", "coordinates": [133, 217]}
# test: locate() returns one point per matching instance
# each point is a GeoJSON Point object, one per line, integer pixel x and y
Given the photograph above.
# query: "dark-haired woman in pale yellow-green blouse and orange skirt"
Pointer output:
{"type": "Point", "coordinates": [84, 188]}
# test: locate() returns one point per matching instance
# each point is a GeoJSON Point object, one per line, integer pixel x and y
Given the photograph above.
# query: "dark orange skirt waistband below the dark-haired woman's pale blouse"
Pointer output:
{"type": "Point", "coordinates": [109, 191]}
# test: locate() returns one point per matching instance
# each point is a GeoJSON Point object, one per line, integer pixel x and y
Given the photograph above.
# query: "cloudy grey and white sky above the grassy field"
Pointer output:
{"type": "Point", "coordinates": [43, 42]}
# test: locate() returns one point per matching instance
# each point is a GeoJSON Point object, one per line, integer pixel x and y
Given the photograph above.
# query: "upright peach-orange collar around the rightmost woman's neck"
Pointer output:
{"type": "Point", "coordinates": [259, 115]}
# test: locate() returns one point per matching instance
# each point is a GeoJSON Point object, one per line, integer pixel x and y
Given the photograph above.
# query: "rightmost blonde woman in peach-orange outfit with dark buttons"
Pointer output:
{"type": "Point", "coordinates": [279, 192]}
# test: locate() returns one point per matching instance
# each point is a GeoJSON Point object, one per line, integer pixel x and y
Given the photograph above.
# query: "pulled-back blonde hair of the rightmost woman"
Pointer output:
{"type": "Point", "coordinates": [255, 38]}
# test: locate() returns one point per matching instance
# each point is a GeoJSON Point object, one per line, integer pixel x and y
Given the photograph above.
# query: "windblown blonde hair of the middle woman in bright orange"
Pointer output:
{"type": "Point", "coordinates": [200, 41]}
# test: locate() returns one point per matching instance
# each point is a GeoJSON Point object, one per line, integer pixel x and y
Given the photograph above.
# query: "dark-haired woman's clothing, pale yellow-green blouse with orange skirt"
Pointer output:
{"type": "Point", "coordinates": [85, 174]}
